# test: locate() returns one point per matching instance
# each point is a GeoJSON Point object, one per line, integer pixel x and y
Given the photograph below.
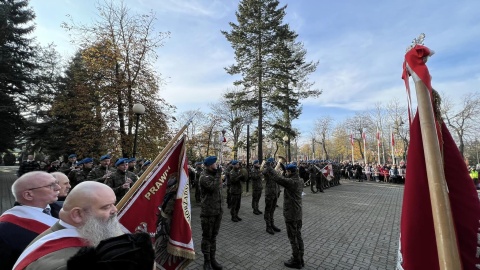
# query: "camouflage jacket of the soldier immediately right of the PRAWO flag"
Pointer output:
{"type": "Point", "coordinates": [211, 193]}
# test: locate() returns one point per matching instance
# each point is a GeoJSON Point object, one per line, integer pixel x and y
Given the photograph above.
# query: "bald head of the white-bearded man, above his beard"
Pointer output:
{"type": "Point", "coordinates": [86, 199]}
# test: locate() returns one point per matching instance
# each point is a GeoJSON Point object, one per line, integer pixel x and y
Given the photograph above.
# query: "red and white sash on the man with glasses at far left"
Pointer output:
{"type": "Point", "coordinates": [28, 218]}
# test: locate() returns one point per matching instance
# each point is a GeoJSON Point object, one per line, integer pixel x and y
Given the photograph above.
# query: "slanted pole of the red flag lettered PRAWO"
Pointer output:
{"type": "Point", "coordinates": [154, 163]}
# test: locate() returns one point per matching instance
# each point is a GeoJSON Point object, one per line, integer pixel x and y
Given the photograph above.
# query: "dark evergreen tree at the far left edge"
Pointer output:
{"type": "Point", "coordinates": [16, 54]}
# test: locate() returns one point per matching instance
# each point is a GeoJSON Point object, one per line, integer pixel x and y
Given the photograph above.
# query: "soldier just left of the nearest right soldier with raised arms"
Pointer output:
{"type": "Point", "coordinates": [271, 195]}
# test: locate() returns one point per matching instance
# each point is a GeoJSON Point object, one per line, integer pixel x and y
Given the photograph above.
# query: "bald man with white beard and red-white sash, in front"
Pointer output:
{"type": "Point", "coordinates": [88, 216]}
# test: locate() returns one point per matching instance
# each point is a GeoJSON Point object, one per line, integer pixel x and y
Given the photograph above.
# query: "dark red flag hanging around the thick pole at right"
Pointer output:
{"type": "Point", "coordinates": [418, 249]}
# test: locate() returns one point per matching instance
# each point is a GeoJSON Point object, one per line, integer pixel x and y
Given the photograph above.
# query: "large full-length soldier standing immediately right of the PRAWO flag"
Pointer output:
{"type": "Point", "coordinates": [211, 212]}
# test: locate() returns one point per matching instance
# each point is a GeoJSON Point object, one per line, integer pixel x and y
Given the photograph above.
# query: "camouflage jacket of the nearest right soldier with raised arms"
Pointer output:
{"type": "Point", "coordinates": [292, 195]}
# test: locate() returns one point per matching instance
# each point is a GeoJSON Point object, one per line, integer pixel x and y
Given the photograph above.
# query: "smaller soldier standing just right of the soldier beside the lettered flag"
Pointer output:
{"type": "Point", "coordinates": [236, 178]}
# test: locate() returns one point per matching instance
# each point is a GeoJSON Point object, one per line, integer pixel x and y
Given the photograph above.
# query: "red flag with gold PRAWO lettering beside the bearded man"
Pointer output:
{"type": "Point", "coordinates": [142, 211]}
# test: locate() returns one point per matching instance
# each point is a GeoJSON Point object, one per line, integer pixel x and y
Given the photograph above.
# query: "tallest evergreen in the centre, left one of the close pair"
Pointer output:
{"type": "Point", "coordinates": [253, 39]}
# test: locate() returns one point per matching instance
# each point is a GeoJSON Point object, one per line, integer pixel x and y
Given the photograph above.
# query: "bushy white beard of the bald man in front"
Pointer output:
{"type": "Point", "coordinates": [96, 230]}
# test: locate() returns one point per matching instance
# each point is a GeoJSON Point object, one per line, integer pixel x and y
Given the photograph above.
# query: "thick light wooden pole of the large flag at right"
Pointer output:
{"type": "Point", "coordinates": [448, 256]}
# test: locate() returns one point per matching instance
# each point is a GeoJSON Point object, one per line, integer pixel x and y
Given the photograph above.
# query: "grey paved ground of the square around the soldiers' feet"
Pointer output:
{"type": "Point", "coordinates": [351, 226]}
